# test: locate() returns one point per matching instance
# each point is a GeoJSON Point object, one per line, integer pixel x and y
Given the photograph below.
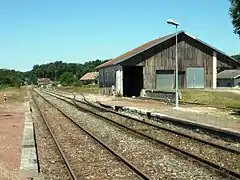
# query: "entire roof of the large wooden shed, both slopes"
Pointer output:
{"type": "Point", "coordinates": [153, 43]}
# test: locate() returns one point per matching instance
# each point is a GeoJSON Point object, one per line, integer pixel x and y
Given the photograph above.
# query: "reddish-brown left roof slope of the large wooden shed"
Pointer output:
{"type": "Point", "coordinates": [136, 51]}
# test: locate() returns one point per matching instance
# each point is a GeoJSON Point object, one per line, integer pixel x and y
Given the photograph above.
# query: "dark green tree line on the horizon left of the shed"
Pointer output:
{"type": "Point", "coordinates": [66, 73]}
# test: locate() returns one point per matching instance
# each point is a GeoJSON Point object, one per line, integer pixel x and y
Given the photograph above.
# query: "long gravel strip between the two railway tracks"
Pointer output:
{"type": "Point", "coordinates": [155, 160]}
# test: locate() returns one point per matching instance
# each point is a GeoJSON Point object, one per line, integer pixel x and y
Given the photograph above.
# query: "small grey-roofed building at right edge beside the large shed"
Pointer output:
{"type": "Point", "coordinates": [229, 78]}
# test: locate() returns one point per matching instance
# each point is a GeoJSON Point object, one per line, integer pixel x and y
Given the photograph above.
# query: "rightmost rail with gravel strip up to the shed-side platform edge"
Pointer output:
{"type": "Point", "coordinates": [227, 140]}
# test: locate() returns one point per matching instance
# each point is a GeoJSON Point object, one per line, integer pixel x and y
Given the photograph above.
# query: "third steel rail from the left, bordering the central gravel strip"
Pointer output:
{"type": "Point", "coordinates": [221, 169]}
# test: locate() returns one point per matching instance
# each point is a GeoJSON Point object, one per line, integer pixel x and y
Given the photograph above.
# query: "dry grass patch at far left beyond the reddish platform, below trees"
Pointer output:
{"type": "Point", "coordinates": [13, 94]}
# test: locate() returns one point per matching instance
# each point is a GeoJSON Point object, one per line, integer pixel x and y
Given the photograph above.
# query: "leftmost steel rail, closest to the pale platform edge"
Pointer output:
{"type": "Point", "coordinates": [72, 173]}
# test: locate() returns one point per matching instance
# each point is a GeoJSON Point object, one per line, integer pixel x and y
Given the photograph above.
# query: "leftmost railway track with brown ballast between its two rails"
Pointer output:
{"type": "Point", "coordinates": [107, 160]}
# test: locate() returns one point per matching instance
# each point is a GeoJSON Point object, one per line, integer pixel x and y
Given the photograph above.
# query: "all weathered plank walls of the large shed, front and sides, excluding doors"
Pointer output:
{"type": "Point", "coordinates": [191, 53]}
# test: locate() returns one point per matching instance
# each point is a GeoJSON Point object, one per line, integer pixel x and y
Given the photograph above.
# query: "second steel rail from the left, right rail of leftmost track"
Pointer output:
{"type": "Point", "coordinates": [131, 166]}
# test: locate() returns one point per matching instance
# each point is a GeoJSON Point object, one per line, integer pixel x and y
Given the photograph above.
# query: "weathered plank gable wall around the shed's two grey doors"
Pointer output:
{"type": "Point", "coordinates": [190, 54]}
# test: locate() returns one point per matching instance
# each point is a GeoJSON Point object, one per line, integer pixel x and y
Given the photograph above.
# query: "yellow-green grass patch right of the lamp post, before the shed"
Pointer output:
{"type": "Point", "coordinates": [212, 98]}
